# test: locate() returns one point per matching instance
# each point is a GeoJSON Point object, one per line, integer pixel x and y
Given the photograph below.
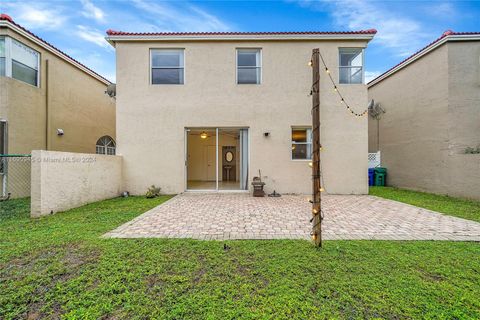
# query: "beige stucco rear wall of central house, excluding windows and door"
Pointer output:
{"type": "Point", "coordinates": [151, 119]}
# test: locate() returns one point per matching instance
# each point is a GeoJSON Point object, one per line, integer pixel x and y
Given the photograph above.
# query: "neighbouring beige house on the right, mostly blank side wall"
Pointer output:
{"type": "Point", "coordinates": [432, 118]}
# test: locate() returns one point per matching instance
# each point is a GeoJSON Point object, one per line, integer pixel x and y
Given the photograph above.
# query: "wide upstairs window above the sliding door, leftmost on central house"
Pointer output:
{"type": "Point", "coordinates": [167, 66]}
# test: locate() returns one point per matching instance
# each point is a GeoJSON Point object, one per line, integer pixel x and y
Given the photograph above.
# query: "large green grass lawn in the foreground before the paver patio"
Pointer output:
{"type": "Point", "coordinates": [59, 266]}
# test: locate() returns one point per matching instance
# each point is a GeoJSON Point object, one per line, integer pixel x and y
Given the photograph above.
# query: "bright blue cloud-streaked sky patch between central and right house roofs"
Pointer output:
{"type": "Point", "coordinates": [396, 31]}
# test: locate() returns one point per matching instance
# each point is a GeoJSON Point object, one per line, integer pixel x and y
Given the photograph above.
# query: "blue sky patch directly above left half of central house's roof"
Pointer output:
{"type": "Point", "coordinates": [180, 17]}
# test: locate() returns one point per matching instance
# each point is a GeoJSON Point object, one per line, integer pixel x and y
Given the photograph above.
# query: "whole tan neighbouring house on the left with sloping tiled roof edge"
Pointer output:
{"type": "Point", "coordinates": [48, 101]}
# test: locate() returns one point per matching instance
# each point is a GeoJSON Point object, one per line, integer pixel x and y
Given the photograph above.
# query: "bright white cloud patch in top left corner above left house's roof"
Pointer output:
{"type": "Point", "coordinates": [36, 16]}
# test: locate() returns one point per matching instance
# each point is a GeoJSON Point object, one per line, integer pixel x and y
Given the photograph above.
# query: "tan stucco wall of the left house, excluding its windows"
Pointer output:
{"type": "Point", "coordinates": [76, 102]}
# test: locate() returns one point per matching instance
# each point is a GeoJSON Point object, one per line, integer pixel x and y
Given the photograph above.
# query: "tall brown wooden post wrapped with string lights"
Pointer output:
{"type": "Point", "coordinates": [316, 181]}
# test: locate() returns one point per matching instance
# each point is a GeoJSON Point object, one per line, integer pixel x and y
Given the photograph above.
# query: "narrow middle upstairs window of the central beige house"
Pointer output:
{"type": "Point", "coordinates": [249, 66]}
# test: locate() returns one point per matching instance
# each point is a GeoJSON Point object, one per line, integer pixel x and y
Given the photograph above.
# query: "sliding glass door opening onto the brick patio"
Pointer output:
{"type": "Point", "coordinates": [216, 159]}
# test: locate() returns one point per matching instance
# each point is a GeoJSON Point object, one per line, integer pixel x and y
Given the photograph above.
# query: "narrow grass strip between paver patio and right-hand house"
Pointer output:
{"type": "Point", "coordinates": [466, 209]}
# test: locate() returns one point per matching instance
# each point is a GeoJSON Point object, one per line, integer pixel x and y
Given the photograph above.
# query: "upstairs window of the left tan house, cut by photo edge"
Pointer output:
{"type": "Point", "coordinates": [19, 61]}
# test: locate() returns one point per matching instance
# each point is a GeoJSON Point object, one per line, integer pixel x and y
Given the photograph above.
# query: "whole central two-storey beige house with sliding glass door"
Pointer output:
{"type": "Point", "coordinates": [208, 111]}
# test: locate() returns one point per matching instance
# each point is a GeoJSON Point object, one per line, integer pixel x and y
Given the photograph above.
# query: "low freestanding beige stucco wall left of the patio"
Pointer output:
{"type": "Point", "coordinates": [64, 180]}
